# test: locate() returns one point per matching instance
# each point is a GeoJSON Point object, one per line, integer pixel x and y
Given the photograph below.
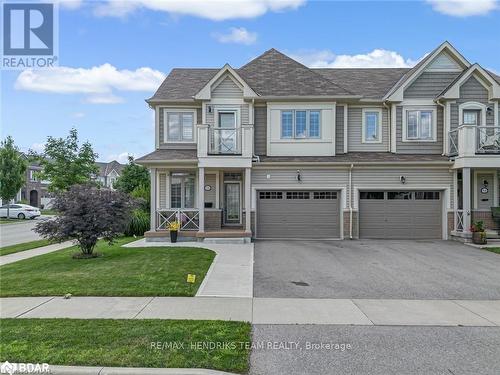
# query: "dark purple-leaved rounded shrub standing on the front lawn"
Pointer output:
{"type": "Point", "coordinates": [87, 213]}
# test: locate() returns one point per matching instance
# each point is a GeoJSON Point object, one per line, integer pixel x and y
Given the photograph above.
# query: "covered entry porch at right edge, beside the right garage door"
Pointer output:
{"type": "Point", "coordinates": [477, 191]}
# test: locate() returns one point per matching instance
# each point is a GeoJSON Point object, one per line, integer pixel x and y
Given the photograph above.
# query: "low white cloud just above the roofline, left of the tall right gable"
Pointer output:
{"type": "Point", "coordinates": [378, 58]}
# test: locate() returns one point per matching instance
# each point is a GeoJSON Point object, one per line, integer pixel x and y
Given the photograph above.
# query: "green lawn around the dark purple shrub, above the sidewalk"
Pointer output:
{"type": "Point", "coordinates": [120, 271]}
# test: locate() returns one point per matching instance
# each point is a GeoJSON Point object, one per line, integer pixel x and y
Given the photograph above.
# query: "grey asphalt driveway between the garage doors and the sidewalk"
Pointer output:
{"type": "Point", "coordinates": [375, 269]}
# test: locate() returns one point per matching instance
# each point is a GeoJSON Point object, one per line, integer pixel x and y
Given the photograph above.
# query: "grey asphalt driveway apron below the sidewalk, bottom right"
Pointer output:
{"type": "Point", "coordinates": [374, 350]}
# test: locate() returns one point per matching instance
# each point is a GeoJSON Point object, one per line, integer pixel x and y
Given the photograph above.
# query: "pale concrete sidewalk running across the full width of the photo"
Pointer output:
{"type": "Point", "coordinates": [261, 310]}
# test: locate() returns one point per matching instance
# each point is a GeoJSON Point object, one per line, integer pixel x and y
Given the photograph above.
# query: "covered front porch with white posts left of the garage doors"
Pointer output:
{"type": "Point", "coordinates": [210, 204]}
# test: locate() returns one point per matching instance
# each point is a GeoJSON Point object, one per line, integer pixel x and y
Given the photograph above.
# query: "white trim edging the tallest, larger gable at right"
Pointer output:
{"type": "Point", "coordinates": [396, 93]}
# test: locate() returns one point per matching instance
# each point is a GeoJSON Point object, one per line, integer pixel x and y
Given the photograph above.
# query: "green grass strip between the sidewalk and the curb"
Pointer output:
{"type": "Point", "coordinates": [124, 343]}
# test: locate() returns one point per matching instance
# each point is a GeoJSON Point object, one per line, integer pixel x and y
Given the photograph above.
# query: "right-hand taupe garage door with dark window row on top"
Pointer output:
{"type": "Point", "coordinates": [400, 214]}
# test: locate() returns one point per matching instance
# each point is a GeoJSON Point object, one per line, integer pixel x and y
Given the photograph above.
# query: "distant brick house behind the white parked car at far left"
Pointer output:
{"type": "Point", "coordinates": [35, 190]}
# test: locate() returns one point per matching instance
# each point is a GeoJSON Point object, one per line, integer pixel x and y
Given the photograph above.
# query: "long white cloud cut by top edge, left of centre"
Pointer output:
{"type": "Point", "coordinates": [217, 10]}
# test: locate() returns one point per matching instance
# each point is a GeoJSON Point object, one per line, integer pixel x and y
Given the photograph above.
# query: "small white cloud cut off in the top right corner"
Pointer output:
{"type": "Point", "coordinates": [464, 8]}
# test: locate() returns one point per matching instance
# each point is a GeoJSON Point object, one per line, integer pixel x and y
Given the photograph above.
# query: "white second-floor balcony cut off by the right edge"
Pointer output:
{"type": "Point", "coordinates": [470, 140]}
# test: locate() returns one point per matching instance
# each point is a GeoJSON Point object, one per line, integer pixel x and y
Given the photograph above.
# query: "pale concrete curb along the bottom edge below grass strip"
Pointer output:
{"type": "Point", "coordinates": [88, 370]}
